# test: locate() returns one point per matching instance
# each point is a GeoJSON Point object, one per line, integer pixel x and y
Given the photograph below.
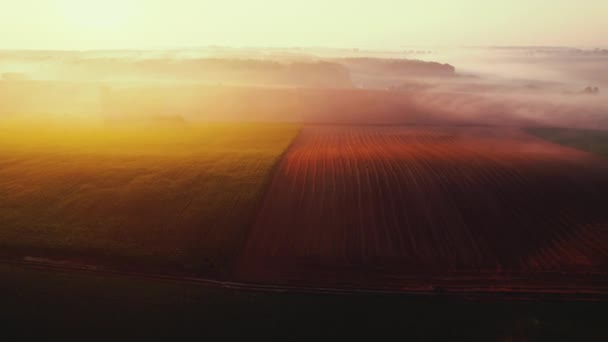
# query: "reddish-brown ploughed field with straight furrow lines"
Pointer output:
{"type": "Point", "coordinates": [379, 206]}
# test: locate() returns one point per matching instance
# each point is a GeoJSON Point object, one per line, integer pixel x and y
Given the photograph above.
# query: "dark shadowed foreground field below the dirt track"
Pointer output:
{"type": "Point", "coordinates": [91, 306]}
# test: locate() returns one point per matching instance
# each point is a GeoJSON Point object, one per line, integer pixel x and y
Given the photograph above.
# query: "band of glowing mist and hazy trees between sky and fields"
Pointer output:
{"type": "Point", "coordinates": [564, 87]}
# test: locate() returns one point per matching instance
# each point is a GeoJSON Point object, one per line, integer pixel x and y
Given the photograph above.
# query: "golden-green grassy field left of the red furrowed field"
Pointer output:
{"type": "Point", "coordinates": [180, 195]}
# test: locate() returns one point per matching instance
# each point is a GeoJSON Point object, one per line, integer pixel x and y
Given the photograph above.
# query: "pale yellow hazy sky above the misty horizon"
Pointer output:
{"type": "Point", "coordinates": [98, 24]}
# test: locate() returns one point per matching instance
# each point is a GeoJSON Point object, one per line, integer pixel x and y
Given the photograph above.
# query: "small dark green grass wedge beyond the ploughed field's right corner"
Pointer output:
{"type": "Point", "coordinates": [584, 139]}
